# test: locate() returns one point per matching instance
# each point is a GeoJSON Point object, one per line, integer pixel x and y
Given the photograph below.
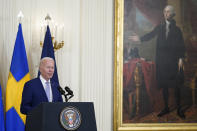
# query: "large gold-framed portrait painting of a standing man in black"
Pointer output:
{"type": "Point", "coordinates": [155, 65]}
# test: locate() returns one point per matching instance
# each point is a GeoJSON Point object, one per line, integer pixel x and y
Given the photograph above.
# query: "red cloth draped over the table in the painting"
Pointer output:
{"type": "Point", "coordinates": [148, 71]}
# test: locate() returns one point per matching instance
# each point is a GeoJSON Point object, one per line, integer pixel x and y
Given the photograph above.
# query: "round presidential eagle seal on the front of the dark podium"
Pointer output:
{"type": "Point", "coordinates": [70, 118]}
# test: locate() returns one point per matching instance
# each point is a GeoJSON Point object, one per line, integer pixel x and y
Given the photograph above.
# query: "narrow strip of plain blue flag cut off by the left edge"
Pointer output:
{"type": "Point", "coordinates": [2, 124]}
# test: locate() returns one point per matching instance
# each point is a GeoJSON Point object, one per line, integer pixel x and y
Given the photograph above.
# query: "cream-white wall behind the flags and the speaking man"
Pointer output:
{"type": "Point", "coordinates": [85, 63]}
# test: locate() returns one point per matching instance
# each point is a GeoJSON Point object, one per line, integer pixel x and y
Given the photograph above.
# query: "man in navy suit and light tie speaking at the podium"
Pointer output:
{"type": "Point", "coordinates": [42, 88]}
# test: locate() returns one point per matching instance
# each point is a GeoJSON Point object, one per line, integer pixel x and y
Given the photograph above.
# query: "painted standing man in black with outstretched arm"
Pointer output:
{"type": "Point", "coordinates": [170, 52]}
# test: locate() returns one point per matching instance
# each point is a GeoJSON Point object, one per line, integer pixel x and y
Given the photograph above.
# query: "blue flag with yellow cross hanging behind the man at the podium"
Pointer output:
{"type": "Point", "coordinates": [19, 74]}
